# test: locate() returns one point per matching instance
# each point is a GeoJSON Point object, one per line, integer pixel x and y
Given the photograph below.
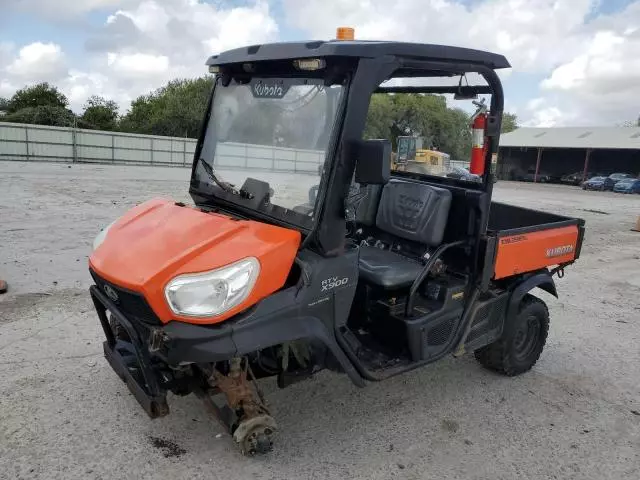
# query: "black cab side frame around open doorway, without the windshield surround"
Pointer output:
{"type": "Point", "coordinates": [330, 230]}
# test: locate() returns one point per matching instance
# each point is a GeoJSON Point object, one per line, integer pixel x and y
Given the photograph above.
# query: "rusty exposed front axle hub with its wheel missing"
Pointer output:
{"type": "Point", "coordinates": [245, 415]}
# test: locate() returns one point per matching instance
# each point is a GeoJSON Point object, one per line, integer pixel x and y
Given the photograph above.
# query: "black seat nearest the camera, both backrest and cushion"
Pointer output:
{"type": "Point", "coordinates": [410, 211]}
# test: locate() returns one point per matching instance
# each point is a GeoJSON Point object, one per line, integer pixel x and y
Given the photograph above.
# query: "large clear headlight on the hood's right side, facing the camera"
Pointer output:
{"type": "Point", "coordinates": [212, 293]}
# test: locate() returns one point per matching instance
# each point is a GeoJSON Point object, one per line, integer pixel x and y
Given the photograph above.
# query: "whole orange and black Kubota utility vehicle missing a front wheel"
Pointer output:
{"type": "Point", "coordinates": [285, 269]}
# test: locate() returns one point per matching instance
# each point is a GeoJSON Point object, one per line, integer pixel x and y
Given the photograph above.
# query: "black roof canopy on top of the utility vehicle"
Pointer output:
{"type": "Point", "coordinates": [358, 48]}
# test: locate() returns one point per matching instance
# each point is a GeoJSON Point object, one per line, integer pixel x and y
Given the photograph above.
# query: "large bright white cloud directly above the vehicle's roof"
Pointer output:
{"type": "Point", "coordinates": [528, 32]}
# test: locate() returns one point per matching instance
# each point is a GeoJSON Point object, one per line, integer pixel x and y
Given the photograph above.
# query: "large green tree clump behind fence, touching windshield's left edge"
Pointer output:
{"type": "Point", "coordinates": [176, 109]}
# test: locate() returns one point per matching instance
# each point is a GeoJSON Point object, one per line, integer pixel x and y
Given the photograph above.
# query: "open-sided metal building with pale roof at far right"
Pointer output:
{"type": "Point", "coordinates": [551, 153]}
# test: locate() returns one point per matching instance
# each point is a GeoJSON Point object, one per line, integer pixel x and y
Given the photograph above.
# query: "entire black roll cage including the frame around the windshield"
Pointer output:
{"type": "Point", "coordinates": [365, 75]}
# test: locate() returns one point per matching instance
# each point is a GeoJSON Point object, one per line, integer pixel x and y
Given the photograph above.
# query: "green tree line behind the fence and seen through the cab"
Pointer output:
{"type": "Point", "coordinates": [177, 109]}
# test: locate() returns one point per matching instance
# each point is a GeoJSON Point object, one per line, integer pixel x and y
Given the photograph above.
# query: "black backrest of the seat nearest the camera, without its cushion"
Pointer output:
{"type": "Point", "coordinates": [414, 211]}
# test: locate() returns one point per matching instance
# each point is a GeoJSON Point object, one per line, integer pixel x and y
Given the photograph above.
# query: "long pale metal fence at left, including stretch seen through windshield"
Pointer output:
{"type": "Point", "coordinates": [56, 144]}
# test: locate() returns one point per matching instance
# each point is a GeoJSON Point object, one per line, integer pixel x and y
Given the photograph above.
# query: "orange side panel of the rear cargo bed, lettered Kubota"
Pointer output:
{"type": "Point", "coordinates": [531, 251]}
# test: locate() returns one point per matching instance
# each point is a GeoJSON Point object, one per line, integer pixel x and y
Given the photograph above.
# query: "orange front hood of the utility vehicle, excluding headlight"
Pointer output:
{"type": "Point", "coordinates": [158, 240]}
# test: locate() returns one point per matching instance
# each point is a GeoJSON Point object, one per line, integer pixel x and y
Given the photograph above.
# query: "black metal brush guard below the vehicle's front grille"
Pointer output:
{"type": "Point", "coordinates": [130, 360]}
